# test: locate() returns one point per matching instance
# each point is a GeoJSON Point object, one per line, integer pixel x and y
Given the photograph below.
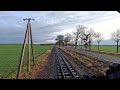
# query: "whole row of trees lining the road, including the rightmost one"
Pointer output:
{"type": "Point", "coordinates": [86, 37]}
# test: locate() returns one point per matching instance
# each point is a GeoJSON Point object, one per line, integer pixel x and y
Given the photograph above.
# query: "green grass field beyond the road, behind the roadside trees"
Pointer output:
{"type": "Point", "coordinates": [107, 48]}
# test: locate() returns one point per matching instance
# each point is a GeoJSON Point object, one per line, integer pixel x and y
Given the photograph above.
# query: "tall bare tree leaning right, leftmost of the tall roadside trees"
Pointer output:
{"type": "Point", "coordinates": [80, 28]}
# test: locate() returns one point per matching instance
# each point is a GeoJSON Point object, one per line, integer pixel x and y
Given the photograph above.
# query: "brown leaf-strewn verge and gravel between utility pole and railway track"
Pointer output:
{"type": "Point", "coordinates": [45, 68]}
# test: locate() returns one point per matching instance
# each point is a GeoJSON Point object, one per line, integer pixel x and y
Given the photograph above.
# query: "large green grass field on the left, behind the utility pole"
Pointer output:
{"type": "Point", "coordinates": [10, 57]}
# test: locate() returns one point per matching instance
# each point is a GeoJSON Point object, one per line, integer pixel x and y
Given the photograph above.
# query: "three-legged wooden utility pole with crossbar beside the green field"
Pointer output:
{"type": "Point", "coordinates": [29, 33]}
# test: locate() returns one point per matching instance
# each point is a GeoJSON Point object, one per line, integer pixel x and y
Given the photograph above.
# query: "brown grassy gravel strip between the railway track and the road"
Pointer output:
{"type": "Point", "coordinates": [86, 66]}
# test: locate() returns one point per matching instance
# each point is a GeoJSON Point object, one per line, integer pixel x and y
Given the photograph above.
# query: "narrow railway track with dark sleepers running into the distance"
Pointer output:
{"type": "Point", "coordinates": [65, 70]}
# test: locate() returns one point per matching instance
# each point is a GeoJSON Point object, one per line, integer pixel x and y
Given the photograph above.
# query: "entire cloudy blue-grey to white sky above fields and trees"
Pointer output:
{"type": "Point", "coordinates": [48, 24]}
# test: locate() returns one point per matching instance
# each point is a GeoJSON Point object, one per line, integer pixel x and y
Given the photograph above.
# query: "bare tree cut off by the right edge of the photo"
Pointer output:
{"type": "Point", "coordinates": [116, 37]}
